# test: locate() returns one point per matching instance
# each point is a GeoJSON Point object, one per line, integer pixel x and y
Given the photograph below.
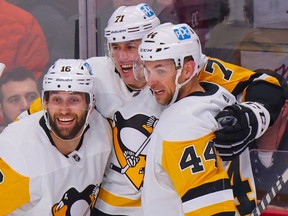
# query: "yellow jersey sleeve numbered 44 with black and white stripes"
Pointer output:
{"type": "Point", "coordinates": [198, 176]}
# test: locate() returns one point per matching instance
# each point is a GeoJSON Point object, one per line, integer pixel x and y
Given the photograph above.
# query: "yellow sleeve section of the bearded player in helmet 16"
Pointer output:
{"type": "Point", "coordinates": [14, 189]}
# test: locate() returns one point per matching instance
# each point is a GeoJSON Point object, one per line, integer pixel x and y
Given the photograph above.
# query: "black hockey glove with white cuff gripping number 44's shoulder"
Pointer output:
{"type": "Point", "coordinates": [240, 124]}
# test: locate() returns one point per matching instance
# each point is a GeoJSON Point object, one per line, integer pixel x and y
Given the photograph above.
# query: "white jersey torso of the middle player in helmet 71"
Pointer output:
{"type": "Point", "coordinates": [133, 115]}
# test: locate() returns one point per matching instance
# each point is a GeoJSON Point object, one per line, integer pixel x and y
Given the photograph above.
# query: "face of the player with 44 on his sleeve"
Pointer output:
{"type": "Point", "coordinates": [161, 76]}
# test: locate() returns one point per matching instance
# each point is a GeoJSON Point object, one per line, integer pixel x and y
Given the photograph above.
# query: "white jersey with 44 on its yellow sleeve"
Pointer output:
{"type": "Point", "coordinates": [183, 173]}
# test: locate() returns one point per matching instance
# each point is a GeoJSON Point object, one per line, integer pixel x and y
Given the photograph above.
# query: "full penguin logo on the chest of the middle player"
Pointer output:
{"type": "Point", "coordinates": [131, 153]}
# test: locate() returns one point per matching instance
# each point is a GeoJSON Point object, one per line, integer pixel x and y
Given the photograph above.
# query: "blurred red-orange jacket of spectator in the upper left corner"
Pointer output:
{"type": "Point", "coordinates": [22, 41]}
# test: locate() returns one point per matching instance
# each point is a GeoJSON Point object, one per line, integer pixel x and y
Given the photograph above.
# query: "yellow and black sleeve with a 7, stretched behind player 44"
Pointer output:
{"type": "Point", "coordinates": [249, 84]}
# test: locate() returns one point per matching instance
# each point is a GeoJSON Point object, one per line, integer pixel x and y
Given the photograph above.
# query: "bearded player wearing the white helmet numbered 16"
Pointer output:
{"type": "Point", "coordinates": [52, 162]}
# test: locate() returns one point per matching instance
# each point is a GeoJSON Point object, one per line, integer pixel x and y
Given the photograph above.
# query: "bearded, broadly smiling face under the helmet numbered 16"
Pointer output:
{"type": "Point", "coordinates": [67, 113]}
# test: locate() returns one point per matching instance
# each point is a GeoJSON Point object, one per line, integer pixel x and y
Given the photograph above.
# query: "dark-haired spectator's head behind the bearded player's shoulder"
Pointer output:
{"type": "Point", "coordinates": [18, 89]}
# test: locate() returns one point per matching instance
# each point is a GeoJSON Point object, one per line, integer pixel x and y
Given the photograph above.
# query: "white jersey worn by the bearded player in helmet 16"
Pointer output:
{"type": "Point", "coordinates": [38, 180]}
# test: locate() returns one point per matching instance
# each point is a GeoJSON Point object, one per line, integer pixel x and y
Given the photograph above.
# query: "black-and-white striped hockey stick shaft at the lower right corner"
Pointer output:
{"type": "Point", "coordinates": [278, 185]}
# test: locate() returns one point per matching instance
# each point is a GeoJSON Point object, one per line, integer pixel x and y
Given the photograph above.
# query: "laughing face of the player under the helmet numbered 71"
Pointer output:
{"type": "Point", "coordinates": [123, 55]}
